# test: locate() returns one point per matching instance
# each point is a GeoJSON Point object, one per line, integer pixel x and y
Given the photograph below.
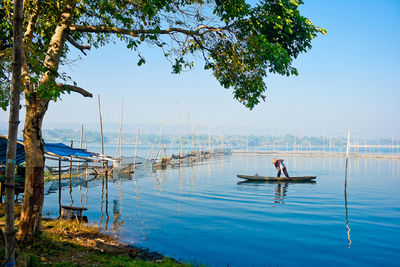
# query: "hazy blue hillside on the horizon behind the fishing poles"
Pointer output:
{"type": "Point", "coordinates": [170, 134]}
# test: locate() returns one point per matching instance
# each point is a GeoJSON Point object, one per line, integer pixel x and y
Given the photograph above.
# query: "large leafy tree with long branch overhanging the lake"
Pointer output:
{"type": "Point", "coordinates": [240, 43]}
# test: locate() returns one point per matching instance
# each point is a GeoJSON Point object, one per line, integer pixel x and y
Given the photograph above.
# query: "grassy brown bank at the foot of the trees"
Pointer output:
{"type": "Point", "coordinates": [75, 243]}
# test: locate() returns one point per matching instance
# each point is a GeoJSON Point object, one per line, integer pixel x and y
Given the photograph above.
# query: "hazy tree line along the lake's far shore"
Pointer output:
{"type": "Point", "coordinates": [93, 137]}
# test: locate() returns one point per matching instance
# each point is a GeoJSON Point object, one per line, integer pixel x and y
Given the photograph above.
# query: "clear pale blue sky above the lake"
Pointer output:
{"type": "Point", "coordinates": [348, 80]}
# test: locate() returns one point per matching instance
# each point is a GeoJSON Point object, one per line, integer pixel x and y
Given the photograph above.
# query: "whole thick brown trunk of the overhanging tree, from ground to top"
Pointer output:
{"type": "Point", "coordinates": [31, 213]}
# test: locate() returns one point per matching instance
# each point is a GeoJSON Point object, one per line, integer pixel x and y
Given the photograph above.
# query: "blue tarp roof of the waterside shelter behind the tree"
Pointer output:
{"type": "Point", "coordinates": [54, 149]}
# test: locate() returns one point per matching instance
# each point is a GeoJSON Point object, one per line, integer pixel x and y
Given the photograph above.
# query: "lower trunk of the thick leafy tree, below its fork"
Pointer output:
{"type": "Point", "coordinates": [31, 214]}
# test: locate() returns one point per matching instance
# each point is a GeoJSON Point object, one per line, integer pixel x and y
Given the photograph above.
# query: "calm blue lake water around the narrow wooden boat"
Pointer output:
{"type": "Point", "coordinates": [200, 213]}
